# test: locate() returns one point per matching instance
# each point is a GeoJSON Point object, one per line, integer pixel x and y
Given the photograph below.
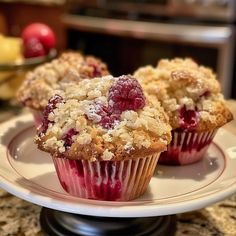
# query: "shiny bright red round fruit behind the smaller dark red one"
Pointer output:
{"type": "Point", "coordinates": [42, 32]}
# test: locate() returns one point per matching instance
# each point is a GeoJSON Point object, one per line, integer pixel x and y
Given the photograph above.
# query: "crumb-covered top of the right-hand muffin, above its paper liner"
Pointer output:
{"type": "Point", "coordinates": [190, 94]}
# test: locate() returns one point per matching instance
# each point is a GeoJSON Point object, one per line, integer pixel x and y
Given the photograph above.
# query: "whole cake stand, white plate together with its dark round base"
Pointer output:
{"type": "Point", "coordinates": [29, 174]}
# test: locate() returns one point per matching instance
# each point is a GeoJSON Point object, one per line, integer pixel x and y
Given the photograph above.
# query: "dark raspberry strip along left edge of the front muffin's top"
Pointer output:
{"type": "Point", "coordinates": [49, 108]}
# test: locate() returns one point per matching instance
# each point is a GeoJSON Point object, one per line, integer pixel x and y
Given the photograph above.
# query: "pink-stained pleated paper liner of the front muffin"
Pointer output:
{"type": "Point", "coordinates": [106, 180]}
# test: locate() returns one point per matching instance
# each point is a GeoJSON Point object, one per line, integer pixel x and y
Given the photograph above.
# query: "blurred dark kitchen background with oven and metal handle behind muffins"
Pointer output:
{"type": "Point", "coordinates": [128, 34]}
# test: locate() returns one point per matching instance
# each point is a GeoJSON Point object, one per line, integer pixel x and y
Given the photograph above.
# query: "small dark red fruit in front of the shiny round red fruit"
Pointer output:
{"type": "Point", "coordinates": [33, 48]}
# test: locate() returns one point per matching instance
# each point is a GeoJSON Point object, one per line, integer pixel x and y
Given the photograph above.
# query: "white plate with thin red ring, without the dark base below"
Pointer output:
{"type": "Point", "coordinates": [29, 174]}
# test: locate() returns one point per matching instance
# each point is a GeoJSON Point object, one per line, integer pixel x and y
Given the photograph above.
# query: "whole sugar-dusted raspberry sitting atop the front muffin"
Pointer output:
{"type": "Point", "coordinates": [126, 94]}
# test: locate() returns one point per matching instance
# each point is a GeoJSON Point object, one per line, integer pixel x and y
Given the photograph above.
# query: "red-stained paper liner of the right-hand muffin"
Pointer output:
{"type": "Point", "coordinates": [186, 147]}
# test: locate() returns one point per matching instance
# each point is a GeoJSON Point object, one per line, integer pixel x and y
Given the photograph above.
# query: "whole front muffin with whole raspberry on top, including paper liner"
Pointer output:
{"type": "Point", "coordinates": [105, 137]}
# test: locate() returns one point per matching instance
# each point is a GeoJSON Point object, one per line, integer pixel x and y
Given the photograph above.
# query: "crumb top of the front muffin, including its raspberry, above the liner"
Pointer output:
{"type": "Point", "coordinates": [105, 118]}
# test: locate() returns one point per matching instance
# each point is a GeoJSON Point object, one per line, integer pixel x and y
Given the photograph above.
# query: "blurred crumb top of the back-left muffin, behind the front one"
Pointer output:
{"type": "Point", "coordinates": [40, 83]}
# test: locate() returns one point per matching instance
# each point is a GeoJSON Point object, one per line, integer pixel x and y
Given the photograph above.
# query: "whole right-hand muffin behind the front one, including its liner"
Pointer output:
{"type": "Point", "coordinates": [191, 96]}
